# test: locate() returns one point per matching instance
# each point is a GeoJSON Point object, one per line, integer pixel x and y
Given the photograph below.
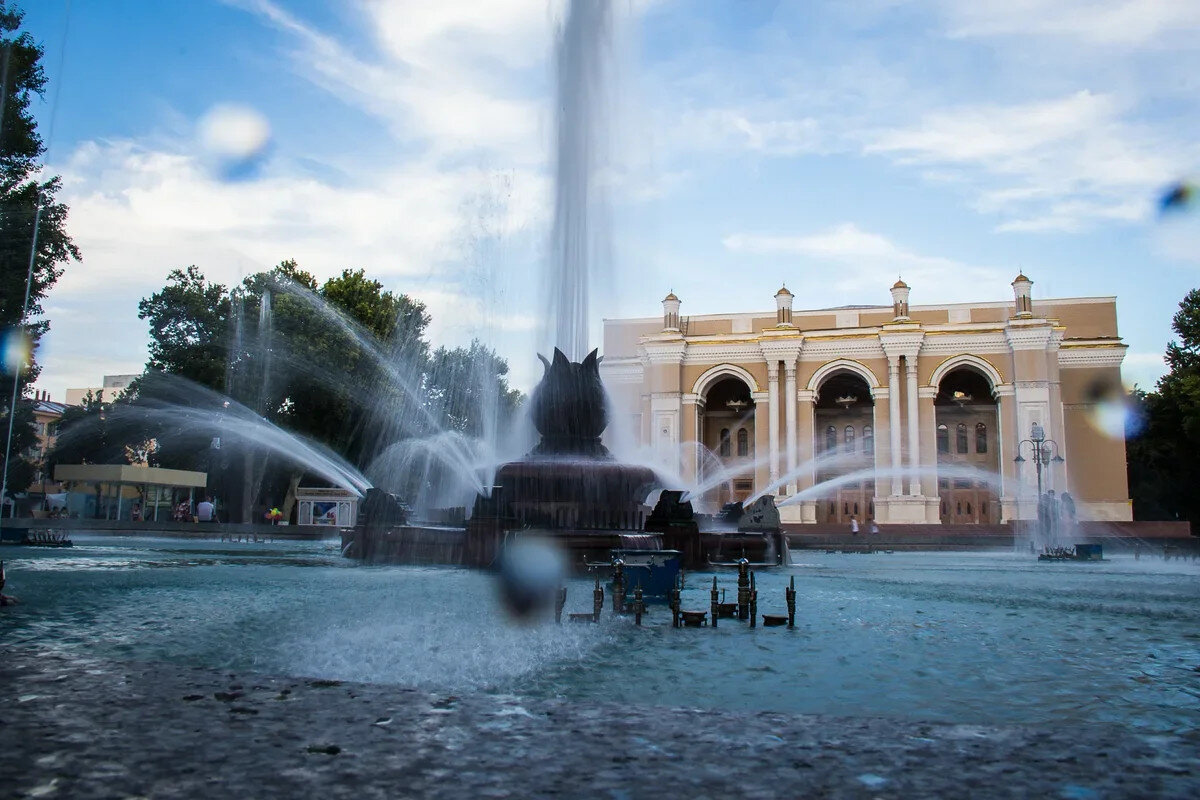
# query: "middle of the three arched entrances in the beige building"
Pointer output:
{"type": "Point", "coordinates": [844, 426]}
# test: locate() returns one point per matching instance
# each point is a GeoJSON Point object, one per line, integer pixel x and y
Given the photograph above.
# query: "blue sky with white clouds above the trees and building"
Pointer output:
{"type": "Point", "coordinates": [830, 146]}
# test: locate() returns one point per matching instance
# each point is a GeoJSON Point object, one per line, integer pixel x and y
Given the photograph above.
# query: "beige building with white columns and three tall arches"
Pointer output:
{"type": "Point", "coordinates": [921, 414]}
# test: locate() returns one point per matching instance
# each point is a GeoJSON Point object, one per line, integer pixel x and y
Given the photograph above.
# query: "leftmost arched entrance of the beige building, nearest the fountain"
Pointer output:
{"type": "Point", "coordinates": [728, 432]}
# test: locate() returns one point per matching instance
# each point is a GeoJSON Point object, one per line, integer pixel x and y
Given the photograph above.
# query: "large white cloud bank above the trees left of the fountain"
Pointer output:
{"type": "Point", "coordinates": [139, 213]}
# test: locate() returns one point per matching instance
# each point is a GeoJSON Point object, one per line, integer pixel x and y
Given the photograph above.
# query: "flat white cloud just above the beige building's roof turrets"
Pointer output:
{"type": "Point", "coordinates": [857, 264]}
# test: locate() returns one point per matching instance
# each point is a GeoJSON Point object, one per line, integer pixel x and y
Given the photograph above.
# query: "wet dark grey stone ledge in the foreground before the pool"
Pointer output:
{"type": "Point", "coordinates": [74, 726]}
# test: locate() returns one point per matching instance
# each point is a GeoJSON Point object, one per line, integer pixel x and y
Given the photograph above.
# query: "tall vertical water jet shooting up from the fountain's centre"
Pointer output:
{"type": "Point", "coordinates": [580, 240]}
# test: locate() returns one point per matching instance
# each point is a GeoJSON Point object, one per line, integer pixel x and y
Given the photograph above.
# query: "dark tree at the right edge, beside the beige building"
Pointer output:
{"type": "Point", "coordinates": [1165, 438]}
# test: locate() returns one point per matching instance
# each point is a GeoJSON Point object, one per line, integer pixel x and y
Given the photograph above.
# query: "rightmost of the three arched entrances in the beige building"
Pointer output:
{"type": "Point", "coordinates": [968, 441]}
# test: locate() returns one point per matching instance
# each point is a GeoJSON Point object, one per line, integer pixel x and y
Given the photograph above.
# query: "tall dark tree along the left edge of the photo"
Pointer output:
{"type": "Point", "coordinates": [33, 224]}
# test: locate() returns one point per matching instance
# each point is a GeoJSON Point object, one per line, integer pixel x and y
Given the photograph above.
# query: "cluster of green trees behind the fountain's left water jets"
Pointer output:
{"type": "Point", "coordinates": [344, 363]}
